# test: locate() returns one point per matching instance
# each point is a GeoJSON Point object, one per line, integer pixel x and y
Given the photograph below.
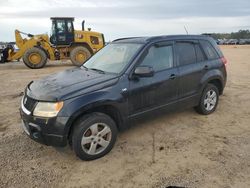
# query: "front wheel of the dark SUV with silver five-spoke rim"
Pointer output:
{"type": "Point", "coordinates": [89, 142]}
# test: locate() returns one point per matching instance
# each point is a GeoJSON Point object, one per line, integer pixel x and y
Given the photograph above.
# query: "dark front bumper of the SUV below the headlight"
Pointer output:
{"type": "Point", "coordinates": [48, 131]}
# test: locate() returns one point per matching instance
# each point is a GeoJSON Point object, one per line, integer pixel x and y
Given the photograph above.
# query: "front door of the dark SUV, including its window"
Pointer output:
{"type": "Point", "coordinates": [161, 89]}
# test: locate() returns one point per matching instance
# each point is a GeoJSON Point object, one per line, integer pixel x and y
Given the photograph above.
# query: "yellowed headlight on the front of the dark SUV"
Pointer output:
{"type": "Point", "coordinates": [47, 109]}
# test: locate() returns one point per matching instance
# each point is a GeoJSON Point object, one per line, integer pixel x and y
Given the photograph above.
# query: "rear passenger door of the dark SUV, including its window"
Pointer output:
{"type": "Point", "coordinates": [191, 67]}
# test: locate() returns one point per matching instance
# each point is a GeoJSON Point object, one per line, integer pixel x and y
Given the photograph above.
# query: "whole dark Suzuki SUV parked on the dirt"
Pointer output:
{"type": "Point", "coordinates": [129, 77]}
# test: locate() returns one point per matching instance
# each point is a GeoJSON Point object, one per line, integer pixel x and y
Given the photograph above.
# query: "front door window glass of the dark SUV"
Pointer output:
{"type": "Point", "coordinates": [159, 58]}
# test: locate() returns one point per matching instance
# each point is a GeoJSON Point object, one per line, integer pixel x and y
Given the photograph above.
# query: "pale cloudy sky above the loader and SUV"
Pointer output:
{"type": "Point", "coordinates": [125, 18]}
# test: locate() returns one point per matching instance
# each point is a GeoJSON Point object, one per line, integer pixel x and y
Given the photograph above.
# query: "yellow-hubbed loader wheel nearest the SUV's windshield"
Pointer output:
{"type": "Point", "coordinates": [79, 55]}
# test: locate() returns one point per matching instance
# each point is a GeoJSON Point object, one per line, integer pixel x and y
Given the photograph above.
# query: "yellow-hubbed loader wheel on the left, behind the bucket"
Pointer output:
{"type": "Point", "coordinates": [35, 58]}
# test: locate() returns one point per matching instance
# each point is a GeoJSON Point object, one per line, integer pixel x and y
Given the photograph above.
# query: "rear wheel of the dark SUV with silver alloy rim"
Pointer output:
{"type": "Point", "coordinates": [209, 100]}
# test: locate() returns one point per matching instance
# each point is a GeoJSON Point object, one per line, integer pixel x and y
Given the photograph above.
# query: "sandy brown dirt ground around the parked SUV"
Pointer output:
{"type": "Point", "coordinates": [177, 149]}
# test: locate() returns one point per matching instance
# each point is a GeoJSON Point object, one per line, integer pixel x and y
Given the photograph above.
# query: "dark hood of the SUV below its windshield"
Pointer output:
{"type": "Point", "coordinates": [69, 83]}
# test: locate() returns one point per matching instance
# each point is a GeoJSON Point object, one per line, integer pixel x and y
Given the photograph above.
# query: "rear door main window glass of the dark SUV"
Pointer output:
{"type": "Point", "coordinates": [185, 53]}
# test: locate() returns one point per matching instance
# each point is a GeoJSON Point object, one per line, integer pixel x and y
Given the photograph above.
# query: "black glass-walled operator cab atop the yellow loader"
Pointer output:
{"type": "Point", "coordinates": [62, 31]}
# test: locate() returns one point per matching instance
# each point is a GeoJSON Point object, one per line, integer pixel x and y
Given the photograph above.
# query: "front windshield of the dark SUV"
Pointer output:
{"type": "Point", "coordinates": [113, 58]}
